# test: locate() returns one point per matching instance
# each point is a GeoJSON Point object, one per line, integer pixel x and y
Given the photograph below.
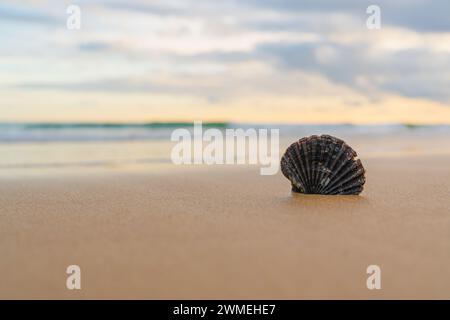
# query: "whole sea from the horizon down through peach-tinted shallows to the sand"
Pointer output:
{"type": "Point", "coordinates": [55, 146]}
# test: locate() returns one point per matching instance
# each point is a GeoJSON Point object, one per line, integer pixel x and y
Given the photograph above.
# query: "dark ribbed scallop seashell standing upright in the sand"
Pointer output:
{"type": "Point", "coordinates": [323, 165]}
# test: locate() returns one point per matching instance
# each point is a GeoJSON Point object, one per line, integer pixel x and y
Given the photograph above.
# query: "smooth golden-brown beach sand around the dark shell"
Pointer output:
{"type": "Point", "coordinates": [227, 232]}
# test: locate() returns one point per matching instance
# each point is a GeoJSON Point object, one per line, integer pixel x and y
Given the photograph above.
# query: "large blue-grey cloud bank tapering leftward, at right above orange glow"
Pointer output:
{"type": "Point", "coordinates": [411, 73]}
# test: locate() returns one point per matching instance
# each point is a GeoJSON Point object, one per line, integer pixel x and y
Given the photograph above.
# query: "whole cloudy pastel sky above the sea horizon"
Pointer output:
{"type": "Point", "coordinates": [283, 61]}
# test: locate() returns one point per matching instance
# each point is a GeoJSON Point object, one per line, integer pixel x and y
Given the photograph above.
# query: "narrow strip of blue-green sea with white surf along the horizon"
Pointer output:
{"type": "Point", "coordinates": [87, 132]}
